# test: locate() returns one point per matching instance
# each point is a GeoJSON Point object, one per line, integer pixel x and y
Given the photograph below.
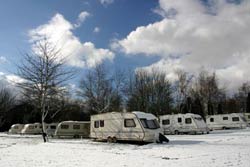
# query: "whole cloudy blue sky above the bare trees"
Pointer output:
{"type": "Point", "coordinates": [132, 34]}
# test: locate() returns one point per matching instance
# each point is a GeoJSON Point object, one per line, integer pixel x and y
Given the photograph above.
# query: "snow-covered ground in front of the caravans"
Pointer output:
{"type": "Point", "coordinates": [220, 148]}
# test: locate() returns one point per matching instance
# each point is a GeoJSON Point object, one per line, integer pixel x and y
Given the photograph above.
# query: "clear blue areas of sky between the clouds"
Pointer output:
{"type": "Point", "coordinates": [115, 20]}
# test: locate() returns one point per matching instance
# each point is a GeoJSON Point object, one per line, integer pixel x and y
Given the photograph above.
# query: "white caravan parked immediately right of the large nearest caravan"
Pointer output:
{"type": "Point", "coordinates": [183, 123]}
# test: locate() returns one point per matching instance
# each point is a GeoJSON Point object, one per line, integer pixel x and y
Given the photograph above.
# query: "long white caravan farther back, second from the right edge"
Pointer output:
{"type": "Point", "coordinates": [226, 121]}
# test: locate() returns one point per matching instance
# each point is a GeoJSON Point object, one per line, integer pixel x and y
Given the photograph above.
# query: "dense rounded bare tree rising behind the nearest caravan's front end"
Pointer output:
{"type": "Point", "coordinates": [150, 92]}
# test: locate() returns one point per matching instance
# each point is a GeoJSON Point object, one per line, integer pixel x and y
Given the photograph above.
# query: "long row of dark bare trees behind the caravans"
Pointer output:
{"type": "Point", "coordinates": [101, 90]}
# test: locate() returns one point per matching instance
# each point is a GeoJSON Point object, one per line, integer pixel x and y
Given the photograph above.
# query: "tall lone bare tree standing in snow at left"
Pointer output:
{"type": "Point", "coordinates": [44, 76]}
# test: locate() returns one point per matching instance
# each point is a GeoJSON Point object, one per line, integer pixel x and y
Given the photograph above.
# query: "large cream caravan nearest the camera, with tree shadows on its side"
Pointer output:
{"type": "Point", "coordinates": [126, 126]}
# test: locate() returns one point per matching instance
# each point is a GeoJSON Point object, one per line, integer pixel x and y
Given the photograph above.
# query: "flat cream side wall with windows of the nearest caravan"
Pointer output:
{"type": "Point", "coordinates": [122, 126]}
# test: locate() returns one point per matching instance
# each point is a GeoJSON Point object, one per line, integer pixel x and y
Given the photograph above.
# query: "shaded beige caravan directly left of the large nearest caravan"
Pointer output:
{"type": "Point", "coordinates": [73, 129]}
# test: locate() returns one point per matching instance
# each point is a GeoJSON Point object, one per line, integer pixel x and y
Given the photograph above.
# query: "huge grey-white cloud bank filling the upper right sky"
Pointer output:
{"type": "Point", "coordinates": [216, 37]}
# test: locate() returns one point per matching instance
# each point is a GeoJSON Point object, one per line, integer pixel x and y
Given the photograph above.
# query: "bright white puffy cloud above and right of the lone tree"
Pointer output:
{"type": "Point", "coordinates": [59, 32]}
